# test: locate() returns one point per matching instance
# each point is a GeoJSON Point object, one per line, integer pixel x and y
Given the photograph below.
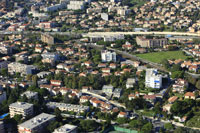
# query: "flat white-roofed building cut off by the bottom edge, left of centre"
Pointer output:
{"type": "Point", "coordinates": [67, 128]}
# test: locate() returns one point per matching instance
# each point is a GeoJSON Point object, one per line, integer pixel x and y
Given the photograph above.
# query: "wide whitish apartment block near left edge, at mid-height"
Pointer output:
{"type": "Point", "coordinates": [24, 69]}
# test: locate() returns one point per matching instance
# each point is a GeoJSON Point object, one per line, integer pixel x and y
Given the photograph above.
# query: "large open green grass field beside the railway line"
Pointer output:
{"type": "Point", "coordinates": [158, 57]}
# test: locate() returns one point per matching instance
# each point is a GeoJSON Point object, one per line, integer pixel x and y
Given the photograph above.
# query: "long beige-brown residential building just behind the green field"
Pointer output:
{"type": "Point", "coordinates": [149, 43]}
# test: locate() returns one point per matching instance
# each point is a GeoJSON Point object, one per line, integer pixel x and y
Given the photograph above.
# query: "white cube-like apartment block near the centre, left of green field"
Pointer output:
{"type": "Point", "coordinates": [107, 56]}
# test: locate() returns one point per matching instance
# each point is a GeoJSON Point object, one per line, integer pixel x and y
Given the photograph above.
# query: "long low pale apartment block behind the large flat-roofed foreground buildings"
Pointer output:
{"type": "Point", "coordinates": [67, 107]}
